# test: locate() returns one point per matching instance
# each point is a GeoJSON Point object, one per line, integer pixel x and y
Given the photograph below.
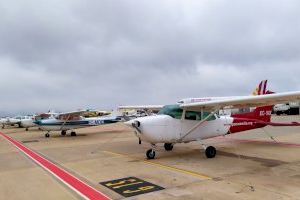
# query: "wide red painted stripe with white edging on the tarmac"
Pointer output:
{"type": "Point", "coordinates": [74, 183]}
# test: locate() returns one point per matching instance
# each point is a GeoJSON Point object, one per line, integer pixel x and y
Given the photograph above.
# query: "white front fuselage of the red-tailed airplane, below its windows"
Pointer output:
{"type": "Point", "coordinates": [165, 129]}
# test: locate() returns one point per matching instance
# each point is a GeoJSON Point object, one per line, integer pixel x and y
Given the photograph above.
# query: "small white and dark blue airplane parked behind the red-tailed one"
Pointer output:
{"type": "Point", "coordinates": [73, 120]}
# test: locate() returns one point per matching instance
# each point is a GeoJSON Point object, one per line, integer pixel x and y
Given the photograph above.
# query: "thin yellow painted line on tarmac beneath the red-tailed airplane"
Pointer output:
{"type": "Point", "coordinates": [184, 171]}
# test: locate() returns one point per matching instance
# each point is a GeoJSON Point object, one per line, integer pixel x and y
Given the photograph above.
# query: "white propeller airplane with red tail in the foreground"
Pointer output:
{"type": "Point", "coordinates": [187, 122]}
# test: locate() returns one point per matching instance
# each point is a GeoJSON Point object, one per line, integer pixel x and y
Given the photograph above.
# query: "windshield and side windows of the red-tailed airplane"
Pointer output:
{"type": "Point", "coordinates": [176, 112]}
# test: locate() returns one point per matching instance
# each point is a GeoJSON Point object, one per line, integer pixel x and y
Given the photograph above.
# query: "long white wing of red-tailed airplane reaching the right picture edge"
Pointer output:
{"type": "Point", "coordinates": [244, 101]}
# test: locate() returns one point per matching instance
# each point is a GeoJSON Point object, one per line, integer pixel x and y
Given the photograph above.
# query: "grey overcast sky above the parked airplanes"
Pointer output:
{"type": "Point", "coordinates": [70, 54]}
